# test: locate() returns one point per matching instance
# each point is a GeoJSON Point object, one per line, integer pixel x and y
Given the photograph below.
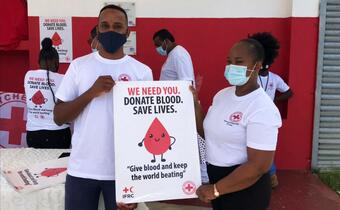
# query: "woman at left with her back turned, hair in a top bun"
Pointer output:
{"type": "Point", "coordinates": [40, 86]}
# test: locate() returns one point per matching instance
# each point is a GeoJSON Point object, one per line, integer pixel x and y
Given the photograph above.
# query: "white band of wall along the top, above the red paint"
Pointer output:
{"type": "Point", "coordinates": [181, 8]}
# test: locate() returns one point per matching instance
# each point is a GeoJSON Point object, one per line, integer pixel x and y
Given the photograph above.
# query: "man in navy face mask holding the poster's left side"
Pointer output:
{"type": "Point", "coordinates": [85, 97]}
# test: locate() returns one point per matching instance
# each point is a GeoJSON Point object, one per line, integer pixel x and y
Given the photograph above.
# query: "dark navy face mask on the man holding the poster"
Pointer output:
{"type": "Point", "coordinates": [111, 41]}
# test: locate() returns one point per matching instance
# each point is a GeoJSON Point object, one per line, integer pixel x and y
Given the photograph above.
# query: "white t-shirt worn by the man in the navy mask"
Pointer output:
{"type": "Point", "coordinates": [92, 153]}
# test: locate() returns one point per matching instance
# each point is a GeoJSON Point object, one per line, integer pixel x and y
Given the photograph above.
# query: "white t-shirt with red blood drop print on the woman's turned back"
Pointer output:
{"type": "Point", "coordinates": [39, 100]}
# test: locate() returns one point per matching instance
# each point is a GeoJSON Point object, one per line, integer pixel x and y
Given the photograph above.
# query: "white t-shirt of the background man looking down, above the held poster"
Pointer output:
{"type": "Point", "coordinates": [178, 66]}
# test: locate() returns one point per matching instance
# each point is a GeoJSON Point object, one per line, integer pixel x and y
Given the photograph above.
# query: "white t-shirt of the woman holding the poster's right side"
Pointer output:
{"type": "Point", "coordinates": [234, 123]}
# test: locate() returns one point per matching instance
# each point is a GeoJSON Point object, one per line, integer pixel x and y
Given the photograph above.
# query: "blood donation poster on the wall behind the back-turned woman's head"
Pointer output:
{"type": "Point", "coordinates": [59, 29]}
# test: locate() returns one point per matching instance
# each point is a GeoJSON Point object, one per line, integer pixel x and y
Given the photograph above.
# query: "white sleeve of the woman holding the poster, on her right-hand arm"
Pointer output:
{"type": "Point", "coordinates": [262, 130]}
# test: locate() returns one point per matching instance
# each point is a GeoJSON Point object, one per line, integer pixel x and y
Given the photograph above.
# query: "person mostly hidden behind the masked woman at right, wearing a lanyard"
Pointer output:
{"type": "Point", "coordinates": [270, 81]}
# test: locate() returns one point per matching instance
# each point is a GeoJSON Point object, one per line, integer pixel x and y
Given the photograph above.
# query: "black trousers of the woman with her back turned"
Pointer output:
{"type": "Point", "coordinates": [49, 139]}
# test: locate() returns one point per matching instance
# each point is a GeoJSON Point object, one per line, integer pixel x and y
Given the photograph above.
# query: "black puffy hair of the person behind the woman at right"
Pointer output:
{"type": "Point", "coordinates": [270, 44]}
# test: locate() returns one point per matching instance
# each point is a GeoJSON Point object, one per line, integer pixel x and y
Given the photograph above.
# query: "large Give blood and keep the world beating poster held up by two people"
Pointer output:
{"type": "Point", "coordinates": [155, 136]}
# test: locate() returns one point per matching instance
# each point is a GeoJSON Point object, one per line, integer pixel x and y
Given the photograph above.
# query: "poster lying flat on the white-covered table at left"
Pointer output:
{"type": "Point", "coordinates": [39, 176]}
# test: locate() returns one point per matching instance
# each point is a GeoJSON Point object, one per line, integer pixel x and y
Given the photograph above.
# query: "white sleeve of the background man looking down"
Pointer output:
{"type": "Point", "coordinates": [184, 68]}
